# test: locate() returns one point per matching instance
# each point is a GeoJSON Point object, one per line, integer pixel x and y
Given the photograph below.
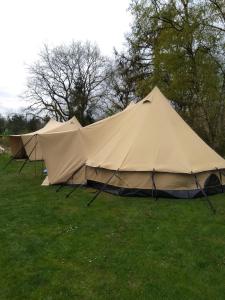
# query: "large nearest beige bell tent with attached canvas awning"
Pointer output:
{"type": "Point", "coordinates": [147, 149]}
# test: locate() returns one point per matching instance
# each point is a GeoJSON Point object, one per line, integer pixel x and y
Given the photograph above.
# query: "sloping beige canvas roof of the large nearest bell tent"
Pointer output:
{"type": "Point", "coordinates": [150, 135]}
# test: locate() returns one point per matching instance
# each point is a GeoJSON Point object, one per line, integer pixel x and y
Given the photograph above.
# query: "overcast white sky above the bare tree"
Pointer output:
{"type": "Point", "coordinates": [26, 25]}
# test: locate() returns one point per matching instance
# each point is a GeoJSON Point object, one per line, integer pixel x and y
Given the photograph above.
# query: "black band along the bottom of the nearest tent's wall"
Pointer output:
{"type": "Point", "coordinates": [177, 194]}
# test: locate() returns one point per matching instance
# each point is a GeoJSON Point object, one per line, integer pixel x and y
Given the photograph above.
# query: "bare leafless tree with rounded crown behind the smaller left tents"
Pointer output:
{"type": "Point", "coordinates": [68, 81]}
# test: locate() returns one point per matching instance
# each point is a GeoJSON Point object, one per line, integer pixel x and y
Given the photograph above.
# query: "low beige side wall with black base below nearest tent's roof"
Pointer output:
{"type": "Point", "coordinates": [166, 184]}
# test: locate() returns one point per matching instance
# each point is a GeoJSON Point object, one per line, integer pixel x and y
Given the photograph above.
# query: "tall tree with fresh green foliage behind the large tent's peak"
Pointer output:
{"type": "Point", "coordinates": [179, 46]}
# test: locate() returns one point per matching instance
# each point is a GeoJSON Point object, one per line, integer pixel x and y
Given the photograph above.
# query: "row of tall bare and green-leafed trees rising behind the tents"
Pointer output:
{"type": "Point", "coordinates": [178, 45]}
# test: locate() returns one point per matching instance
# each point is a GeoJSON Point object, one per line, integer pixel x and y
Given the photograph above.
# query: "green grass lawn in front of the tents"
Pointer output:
{"type": "Point", "coordinates": [119, 248]}
